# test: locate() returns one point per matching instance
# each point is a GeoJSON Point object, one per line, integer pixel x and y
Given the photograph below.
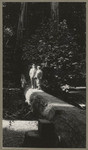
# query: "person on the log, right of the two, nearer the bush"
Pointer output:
{"type": "Point", "coordinates": [38, 76]}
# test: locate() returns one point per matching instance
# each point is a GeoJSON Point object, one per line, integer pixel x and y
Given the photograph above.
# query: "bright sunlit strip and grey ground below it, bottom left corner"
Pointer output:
{"type": "Point", "coordinates": [14, 132]}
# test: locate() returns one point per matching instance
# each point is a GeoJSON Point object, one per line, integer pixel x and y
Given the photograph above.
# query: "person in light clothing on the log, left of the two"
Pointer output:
{"type": "Point", "coordinates": [32, 73]}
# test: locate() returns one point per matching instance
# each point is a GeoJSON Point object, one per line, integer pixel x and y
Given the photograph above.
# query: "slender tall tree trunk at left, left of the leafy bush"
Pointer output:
{"type": "Point", "coordinates": [20, 38]}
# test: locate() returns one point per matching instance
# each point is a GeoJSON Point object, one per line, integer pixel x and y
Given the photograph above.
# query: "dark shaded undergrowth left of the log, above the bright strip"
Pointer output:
{"type": "Point", "coordinates": [14, 106]}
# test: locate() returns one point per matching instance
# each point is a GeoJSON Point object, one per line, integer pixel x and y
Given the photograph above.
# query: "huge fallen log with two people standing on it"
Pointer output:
{"type": "Point", "coordinates": [70, 122]}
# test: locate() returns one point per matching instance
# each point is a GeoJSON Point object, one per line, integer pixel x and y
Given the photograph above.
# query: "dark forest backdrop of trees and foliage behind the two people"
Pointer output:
{"type": "Point", "coordinates": [58, 45]}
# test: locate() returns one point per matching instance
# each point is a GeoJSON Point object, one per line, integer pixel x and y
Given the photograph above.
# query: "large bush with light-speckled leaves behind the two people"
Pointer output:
{"type": "Point", "coordinates": [54, 47]}
